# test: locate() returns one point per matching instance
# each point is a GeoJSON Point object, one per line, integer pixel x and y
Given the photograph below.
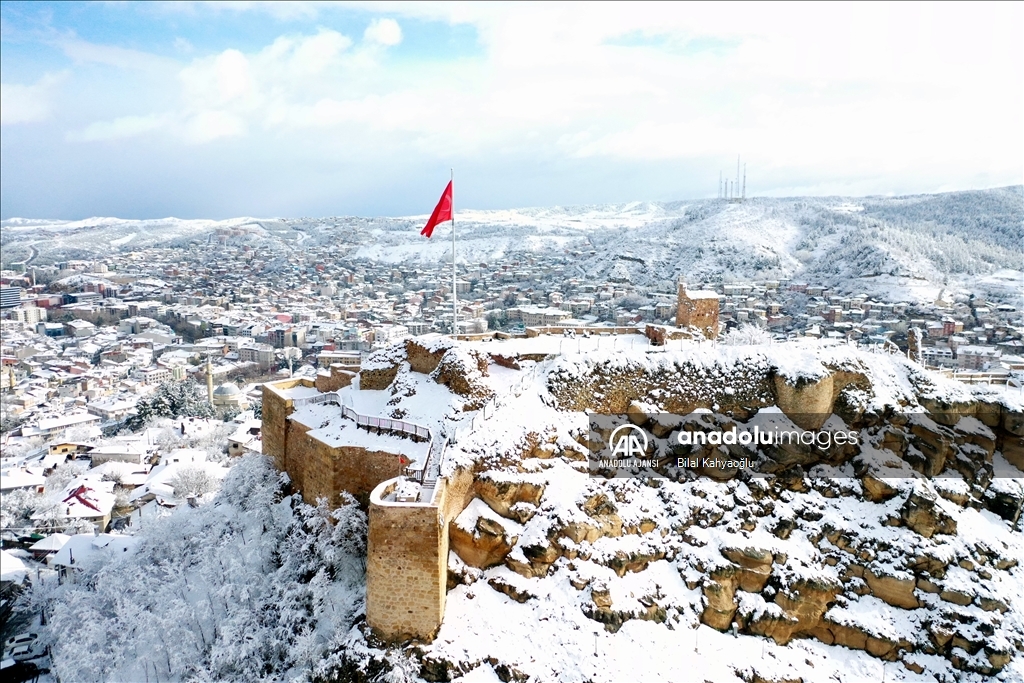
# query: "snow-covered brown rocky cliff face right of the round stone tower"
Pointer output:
{"type": "Point", "coordinates": [872, 552]}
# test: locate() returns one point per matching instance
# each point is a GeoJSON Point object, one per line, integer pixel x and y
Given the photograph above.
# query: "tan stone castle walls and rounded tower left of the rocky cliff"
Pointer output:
{"type": "Point", "coordinates": [408, 544]}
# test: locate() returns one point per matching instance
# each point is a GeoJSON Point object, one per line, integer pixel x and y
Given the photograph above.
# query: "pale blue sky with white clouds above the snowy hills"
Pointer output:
{"type": "Point", "coordinates": [220, 110]}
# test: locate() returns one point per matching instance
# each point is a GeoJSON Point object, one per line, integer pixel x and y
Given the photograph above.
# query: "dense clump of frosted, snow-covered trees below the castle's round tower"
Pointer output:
{"type": "Point", "coordinates": [252, 587]}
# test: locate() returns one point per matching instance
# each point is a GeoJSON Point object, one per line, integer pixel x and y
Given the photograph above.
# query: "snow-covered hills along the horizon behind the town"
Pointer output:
{"type": "Point", "coordinates": [908, 246]}
